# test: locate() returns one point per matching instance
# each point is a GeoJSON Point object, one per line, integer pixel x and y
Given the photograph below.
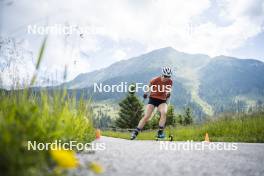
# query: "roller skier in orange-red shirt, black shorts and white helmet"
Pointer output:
{"type": "Point", "coordinates": [158, 94]}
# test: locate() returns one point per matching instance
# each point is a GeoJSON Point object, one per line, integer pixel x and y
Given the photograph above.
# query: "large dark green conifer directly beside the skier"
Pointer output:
{"type": "Point", "coordinates": [131, 111]}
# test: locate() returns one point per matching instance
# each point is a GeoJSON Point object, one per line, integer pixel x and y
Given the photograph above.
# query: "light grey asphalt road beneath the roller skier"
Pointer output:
{"type": "Point", "coordinates": [137, 158]}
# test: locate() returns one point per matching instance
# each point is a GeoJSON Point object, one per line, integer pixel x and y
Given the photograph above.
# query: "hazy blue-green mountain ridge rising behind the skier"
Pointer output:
{"type": "Point", "coordinates": [201, 76]}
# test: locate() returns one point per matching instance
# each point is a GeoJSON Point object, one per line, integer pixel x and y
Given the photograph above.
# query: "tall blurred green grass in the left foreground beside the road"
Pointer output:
{"type": "Point", "coordinates": [43, 118]}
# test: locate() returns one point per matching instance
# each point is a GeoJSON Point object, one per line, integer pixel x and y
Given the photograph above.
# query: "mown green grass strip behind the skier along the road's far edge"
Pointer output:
{"type": "Point", "coordinates": [230, 128]}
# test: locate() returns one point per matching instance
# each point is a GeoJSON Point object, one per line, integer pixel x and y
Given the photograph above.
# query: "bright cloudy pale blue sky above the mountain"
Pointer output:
{"type": "Point", "coordinates": [121, 29]}
